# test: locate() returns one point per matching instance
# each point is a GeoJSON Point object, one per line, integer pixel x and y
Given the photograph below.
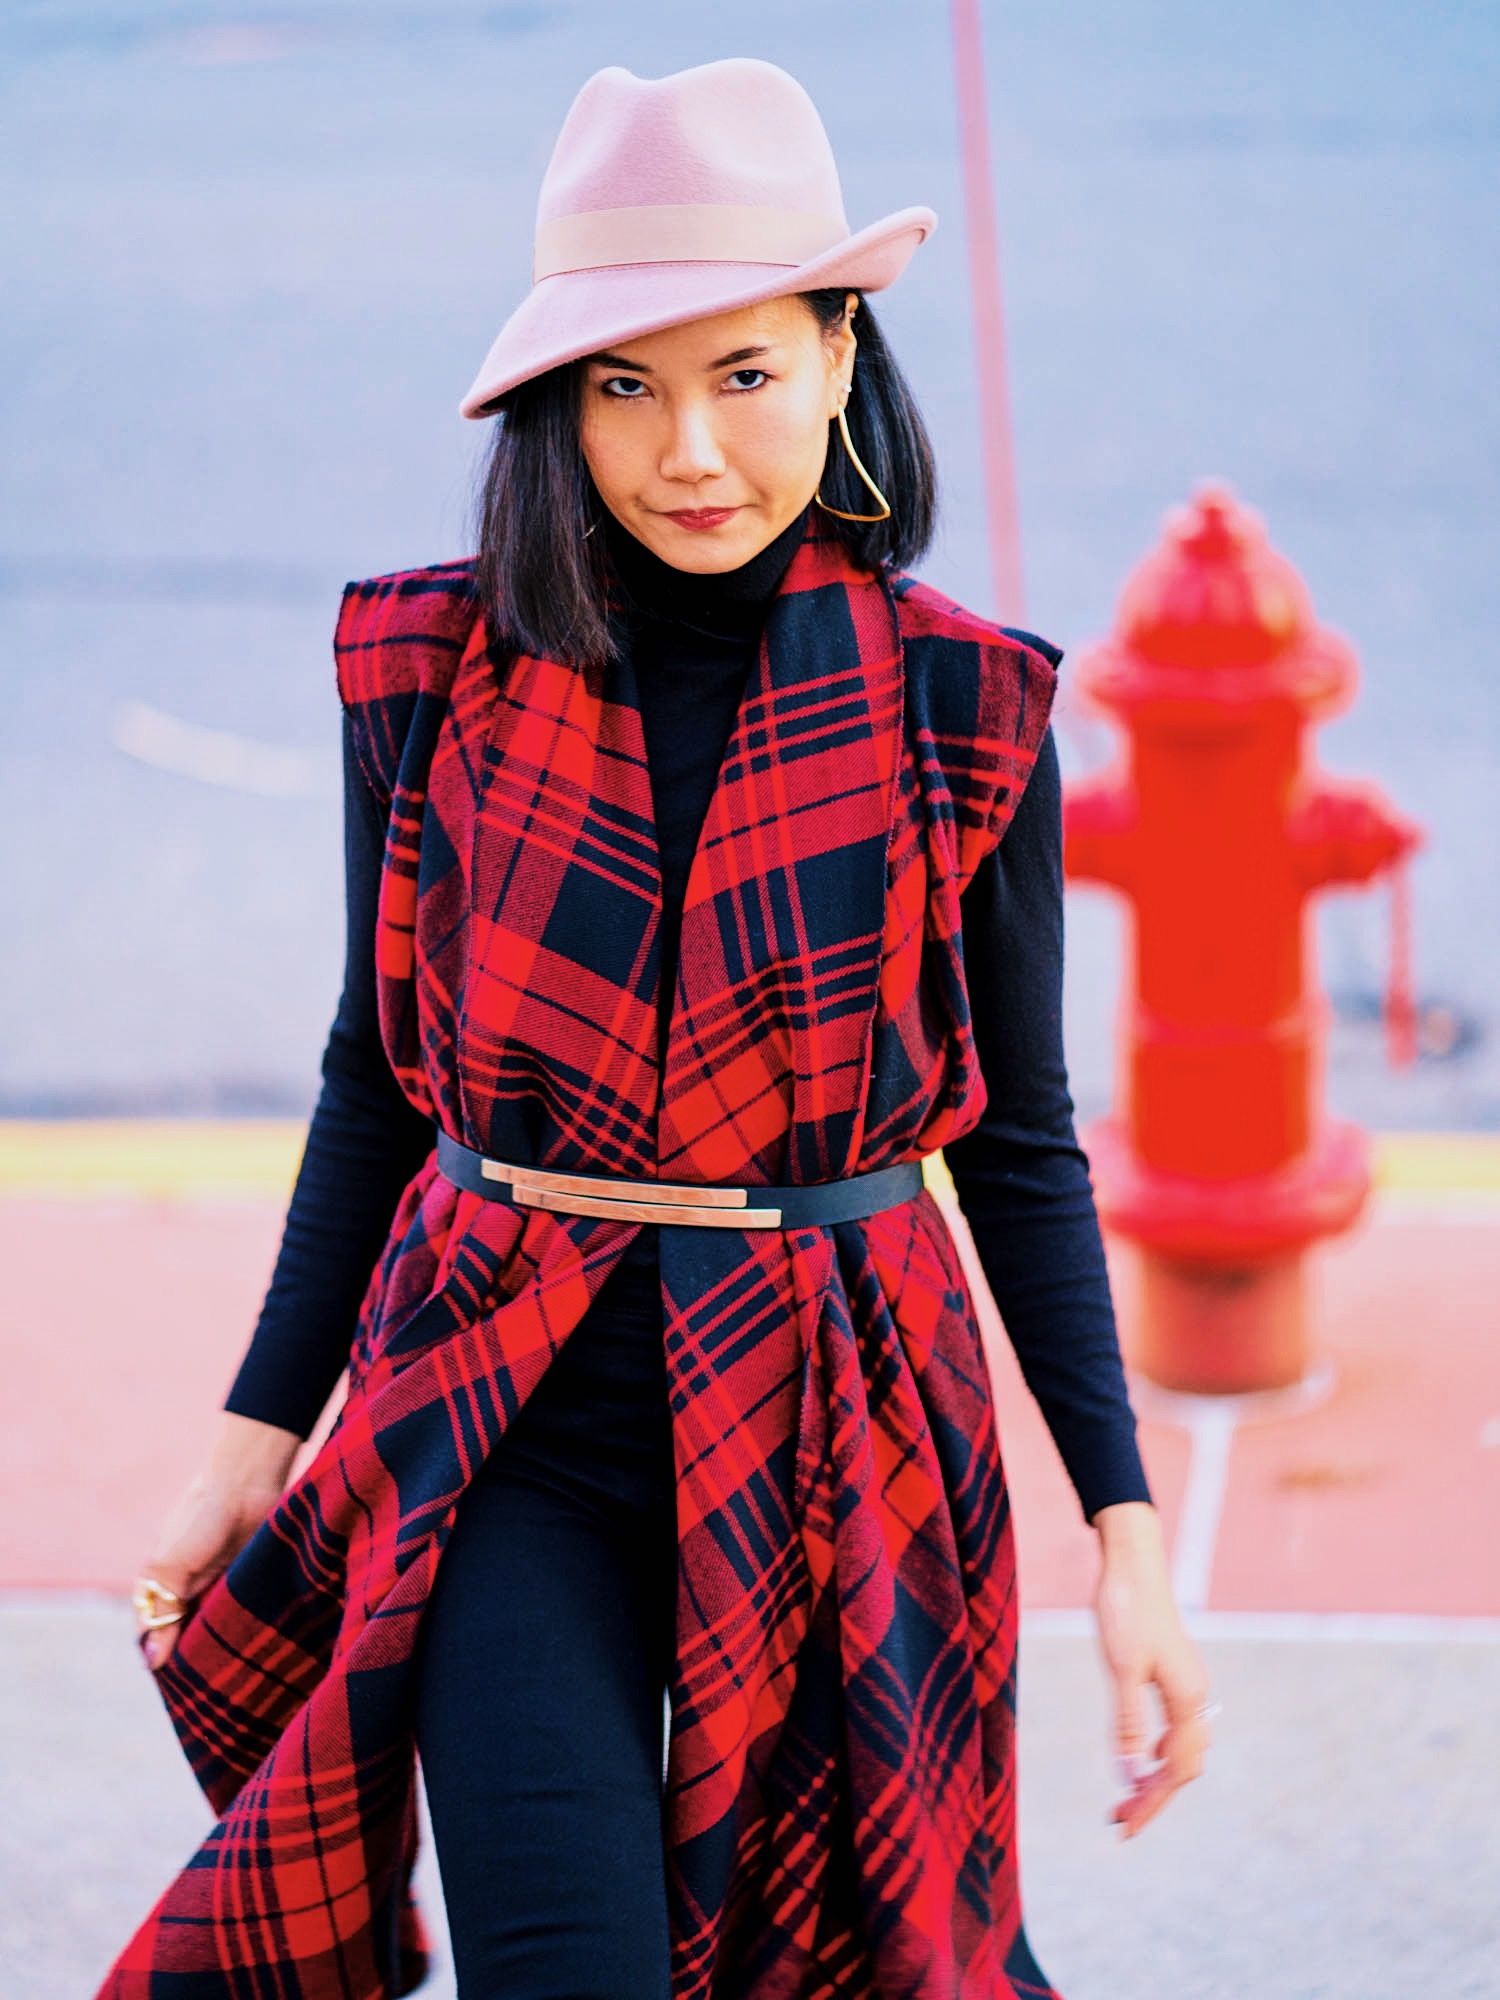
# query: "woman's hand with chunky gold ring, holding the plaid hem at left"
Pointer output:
{"type": "Point", "coordinates": [219, 1511]}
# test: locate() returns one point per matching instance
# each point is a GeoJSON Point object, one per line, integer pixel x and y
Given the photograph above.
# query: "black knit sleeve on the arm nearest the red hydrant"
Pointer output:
{"type": "Point", "coordinates": [1021, 1175]}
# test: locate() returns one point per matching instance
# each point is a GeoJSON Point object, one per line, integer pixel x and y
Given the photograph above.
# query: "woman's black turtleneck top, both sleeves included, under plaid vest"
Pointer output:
{"type": "Point", "coordinates": [1021, 1175]}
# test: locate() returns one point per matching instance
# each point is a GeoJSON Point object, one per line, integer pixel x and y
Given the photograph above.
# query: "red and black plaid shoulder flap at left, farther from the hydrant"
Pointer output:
{"type": "Point", "coordinates": [403, 633]}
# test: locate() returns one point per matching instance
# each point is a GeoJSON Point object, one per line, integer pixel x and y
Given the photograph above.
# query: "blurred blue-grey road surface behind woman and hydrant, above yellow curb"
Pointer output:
{"type": "Point", "coordinates": [259, 253]}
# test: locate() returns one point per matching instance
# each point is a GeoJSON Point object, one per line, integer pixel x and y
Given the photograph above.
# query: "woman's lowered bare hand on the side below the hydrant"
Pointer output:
{"type": "Point", "coordinates": [1145, 1645]}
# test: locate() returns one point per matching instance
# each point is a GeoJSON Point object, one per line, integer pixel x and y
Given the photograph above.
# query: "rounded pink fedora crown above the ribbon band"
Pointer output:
{"type": "Point", "coordinates": [729, 135]}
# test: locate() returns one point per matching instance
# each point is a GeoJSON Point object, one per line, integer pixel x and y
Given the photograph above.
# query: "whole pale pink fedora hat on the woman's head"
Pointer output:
{"type": "Point", "coordinates": [669, 199]}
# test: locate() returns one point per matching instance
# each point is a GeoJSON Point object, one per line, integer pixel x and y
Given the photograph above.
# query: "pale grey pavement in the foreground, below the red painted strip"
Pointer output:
{"type": "Point", "coordinates": [1341, 1845]}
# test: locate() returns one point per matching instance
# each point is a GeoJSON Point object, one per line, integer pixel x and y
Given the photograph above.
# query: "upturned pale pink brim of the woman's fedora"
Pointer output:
{"type": "Point", "coordinates": [583, 311]}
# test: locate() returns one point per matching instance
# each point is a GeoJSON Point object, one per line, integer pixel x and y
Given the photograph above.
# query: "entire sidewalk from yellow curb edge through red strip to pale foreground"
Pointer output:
{"type": "Point", "coordinates": [1341, 1567]}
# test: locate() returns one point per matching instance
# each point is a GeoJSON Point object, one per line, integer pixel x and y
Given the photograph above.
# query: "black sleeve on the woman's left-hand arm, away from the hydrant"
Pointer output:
{"type": "Point", "coordinates": [365, 1143]}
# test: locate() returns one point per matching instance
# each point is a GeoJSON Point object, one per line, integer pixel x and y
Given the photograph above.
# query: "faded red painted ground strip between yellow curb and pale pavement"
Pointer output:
{"type": "Point", "coordinates": [1385, 1499]}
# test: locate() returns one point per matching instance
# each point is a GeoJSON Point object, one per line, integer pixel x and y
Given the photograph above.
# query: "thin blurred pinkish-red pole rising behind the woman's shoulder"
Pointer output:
{"type": "Point", "coordinates": [989, 321]}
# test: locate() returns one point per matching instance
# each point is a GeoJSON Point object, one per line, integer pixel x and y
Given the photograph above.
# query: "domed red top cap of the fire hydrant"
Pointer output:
{"type": "Point", "coordinates": [1215, 593]}
